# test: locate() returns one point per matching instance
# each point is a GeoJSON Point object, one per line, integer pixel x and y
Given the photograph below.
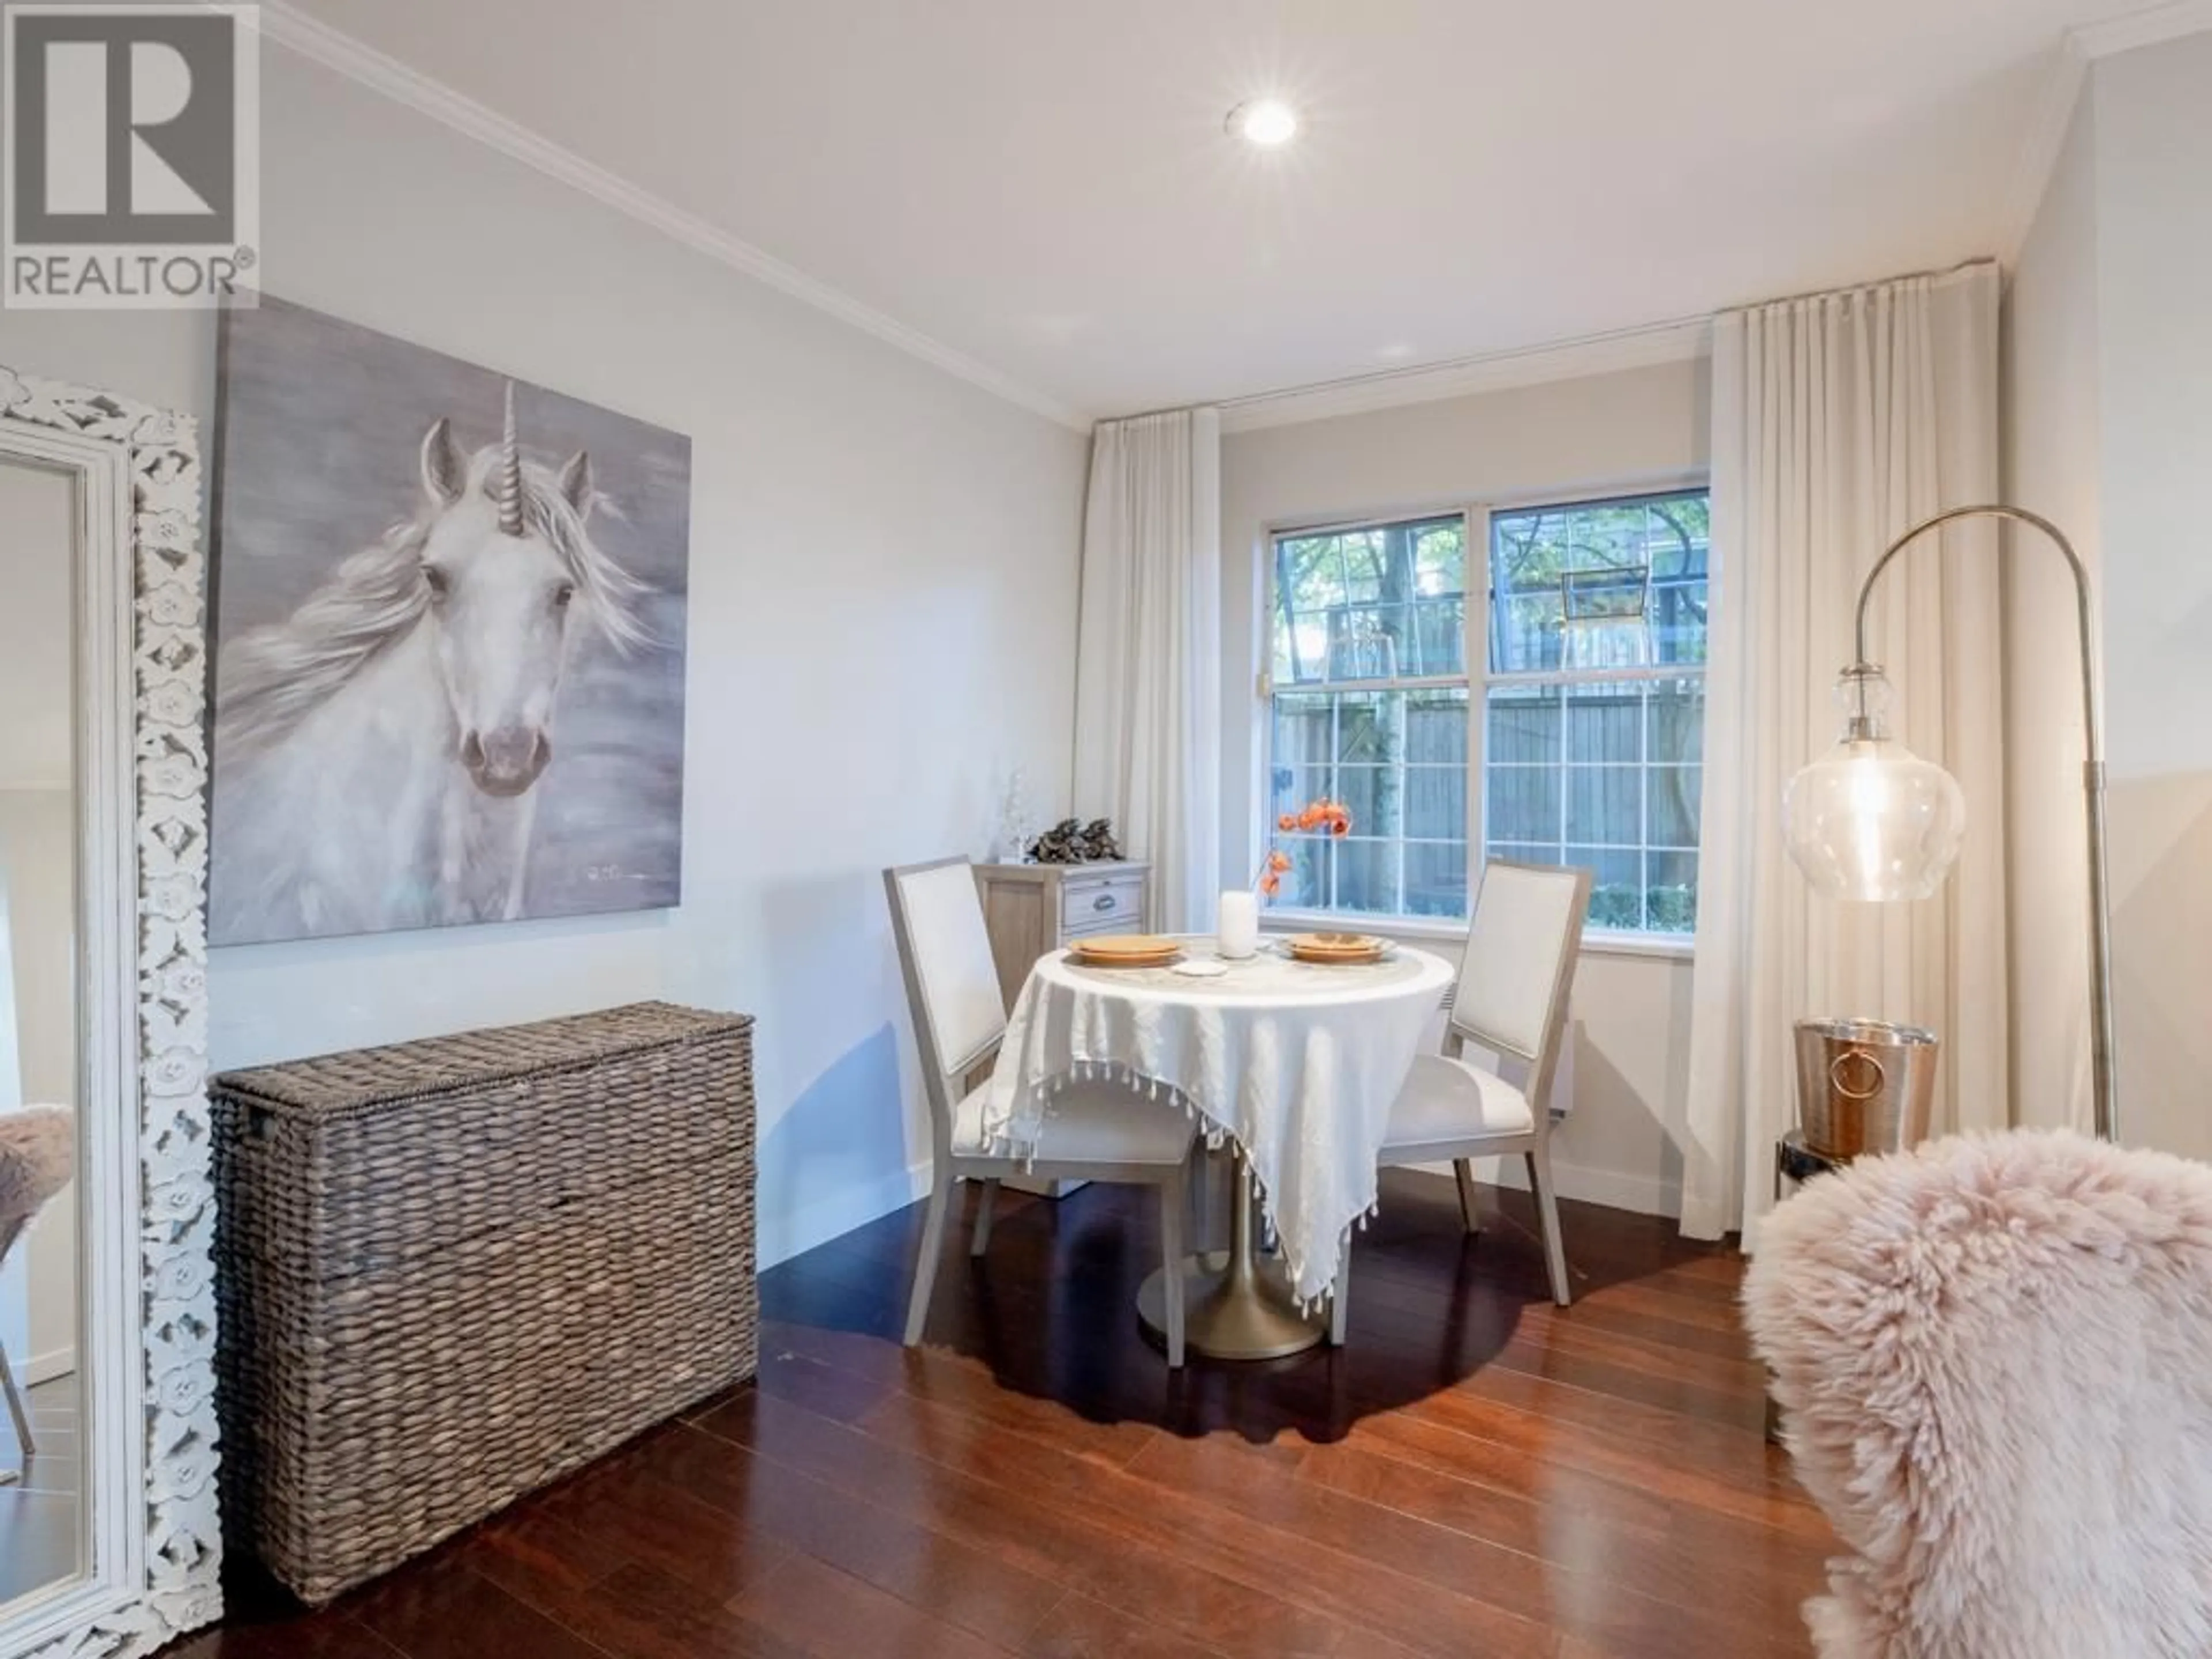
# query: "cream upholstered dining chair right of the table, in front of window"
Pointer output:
{"type": "Point", "coordinates": [1510, 999]}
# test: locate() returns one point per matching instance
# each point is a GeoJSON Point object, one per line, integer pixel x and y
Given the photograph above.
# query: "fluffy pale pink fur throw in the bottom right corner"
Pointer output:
{"type": "Point", "coordinates": [1996, 1370]}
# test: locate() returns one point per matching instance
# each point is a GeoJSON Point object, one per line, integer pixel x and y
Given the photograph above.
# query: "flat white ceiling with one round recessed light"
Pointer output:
{"type": "Point", "coordinates": [1045, 189]}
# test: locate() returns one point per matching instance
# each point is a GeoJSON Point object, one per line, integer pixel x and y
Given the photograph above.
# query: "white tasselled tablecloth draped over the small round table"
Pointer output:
{"type": "Point", "coordinates": [1295, 1063]}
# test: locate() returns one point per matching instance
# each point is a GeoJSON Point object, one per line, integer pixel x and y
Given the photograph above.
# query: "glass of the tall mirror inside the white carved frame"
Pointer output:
{"type": "Point", "coordinates": [43, 1388]}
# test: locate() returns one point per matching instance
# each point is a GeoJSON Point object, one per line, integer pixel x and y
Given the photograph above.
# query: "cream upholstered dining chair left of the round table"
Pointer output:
{"type": "Point", "coordinates": [1096, 1131]}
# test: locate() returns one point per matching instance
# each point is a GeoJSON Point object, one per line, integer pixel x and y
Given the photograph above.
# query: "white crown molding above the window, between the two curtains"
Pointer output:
{"type": "Point", "coordinates": [1636, 348]}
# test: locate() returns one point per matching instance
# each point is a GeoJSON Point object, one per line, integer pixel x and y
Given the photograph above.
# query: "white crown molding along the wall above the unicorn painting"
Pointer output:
{"type": "Point", "coordinates": [404, 85]}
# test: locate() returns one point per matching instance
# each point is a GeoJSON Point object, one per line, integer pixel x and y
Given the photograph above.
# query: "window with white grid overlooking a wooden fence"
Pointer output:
{"type": "Point", "coordinates": [1589, 647]}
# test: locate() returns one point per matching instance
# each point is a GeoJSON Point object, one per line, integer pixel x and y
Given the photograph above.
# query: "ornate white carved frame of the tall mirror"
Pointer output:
{"type": "Point", "coordinates": [154, 1545]}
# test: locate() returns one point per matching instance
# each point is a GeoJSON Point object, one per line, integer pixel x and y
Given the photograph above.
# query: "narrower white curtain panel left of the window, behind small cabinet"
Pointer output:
{"type": "Point", "coordinates": [1149, 654]}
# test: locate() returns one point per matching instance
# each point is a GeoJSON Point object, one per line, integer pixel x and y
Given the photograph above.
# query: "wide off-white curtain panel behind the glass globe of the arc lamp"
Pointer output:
{"type": "Point", "coordinates": [1837, 424]}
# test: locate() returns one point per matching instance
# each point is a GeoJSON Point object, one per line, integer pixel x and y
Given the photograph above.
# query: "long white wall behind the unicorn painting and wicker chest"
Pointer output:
{"type": "Point", "coordinates": [881, 620]}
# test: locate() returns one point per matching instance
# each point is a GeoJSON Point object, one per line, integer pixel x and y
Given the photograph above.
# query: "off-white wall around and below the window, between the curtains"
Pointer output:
{"type": "Point", "coordinates": [1620, 430]}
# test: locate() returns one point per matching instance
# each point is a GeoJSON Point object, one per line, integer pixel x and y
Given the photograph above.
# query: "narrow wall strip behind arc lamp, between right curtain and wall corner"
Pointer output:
{"type": "Point", "coordinates": [2052, 448]}
